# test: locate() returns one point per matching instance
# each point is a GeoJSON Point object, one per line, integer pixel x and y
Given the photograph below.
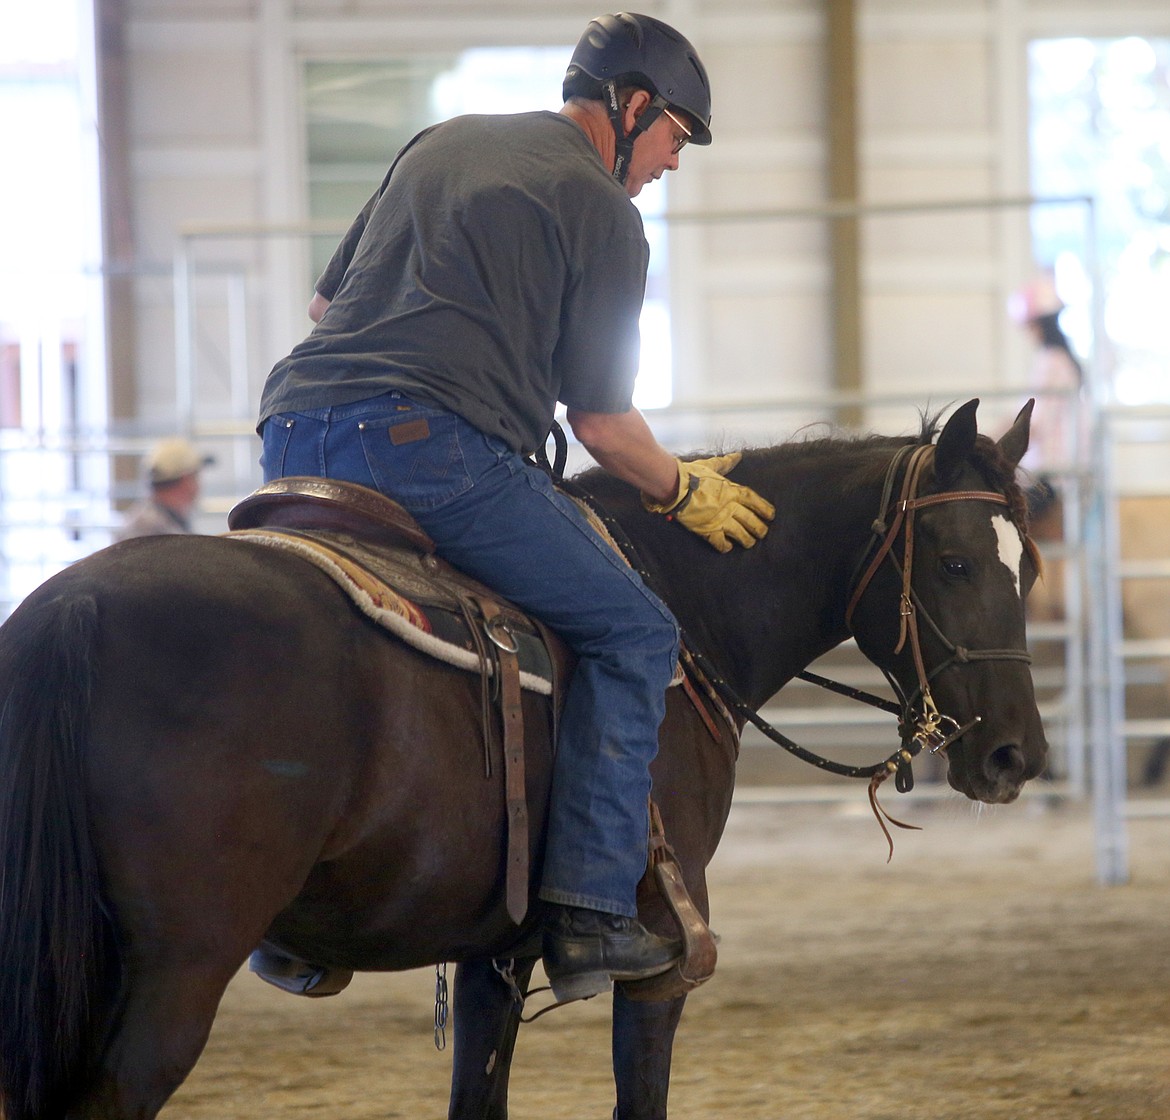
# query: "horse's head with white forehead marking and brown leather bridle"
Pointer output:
{"type": "Point", "coordinates": [940, 604]}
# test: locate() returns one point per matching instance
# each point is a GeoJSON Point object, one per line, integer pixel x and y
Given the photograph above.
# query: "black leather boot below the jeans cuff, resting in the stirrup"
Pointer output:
{"type": "Point", "coordinates": [587, 951]}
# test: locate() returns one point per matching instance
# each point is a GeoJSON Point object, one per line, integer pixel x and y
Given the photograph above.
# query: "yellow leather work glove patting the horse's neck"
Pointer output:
{"type": "Point", "coordinates": [714, 507]}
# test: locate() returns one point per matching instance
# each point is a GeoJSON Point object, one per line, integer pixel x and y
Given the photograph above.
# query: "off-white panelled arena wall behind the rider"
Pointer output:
{"type": "Point", "coordinates": [216, 143]}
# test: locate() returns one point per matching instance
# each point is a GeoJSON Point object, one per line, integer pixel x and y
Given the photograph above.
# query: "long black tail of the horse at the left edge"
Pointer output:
{"type": "Point", "coordinates": [58, 958]}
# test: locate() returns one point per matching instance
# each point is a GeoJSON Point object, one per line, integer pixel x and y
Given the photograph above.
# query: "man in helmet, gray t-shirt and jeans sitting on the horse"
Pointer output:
{"type": "Point", "coordinates": [500, 269]}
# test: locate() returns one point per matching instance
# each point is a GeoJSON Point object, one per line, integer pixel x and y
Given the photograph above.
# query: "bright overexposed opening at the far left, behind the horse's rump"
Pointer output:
{"type": "Point", "coordinates": [53, 497]}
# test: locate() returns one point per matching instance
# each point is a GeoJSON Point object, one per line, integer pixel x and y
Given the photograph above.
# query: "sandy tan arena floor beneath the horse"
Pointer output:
{"type": "Point", "coordinates": [983, 974]}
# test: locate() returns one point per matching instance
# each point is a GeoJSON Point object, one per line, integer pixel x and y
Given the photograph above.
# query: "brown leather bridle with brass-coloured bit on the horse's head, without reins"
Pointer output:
{"type": "Point", "coordinates": [923, 726]}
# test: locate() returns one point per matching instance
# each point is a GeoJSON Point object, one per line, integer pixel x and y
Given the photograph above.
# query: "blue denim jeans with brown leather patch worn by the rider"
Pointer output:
{"type": "Point", "coordinates": [501, 520]}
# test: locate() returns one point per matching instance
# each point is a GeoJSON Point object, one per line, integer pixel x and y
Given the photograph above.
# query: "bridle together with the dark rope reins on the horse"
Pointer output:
{"type": "Point", "coordinates": [923, 727]}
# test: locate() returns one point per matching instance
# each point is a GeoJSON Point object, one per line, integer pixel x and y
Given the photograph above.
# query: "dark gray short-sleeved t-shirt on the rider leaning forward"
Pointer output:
{"type": "Point", "coordinates": [497, 271]}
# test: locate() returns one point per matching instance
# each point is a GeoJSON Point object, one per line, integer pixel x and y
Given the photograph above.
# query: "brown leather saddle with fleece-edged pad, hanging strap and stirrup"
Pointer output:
{"type": "Point", "coordinates": [387, 564]}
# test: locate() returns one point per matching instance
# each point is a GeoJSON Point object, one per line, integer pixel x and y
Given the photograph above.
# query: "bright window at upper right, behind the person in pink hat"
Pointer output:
{"type": "Point", "coordinates": [1102, 127]}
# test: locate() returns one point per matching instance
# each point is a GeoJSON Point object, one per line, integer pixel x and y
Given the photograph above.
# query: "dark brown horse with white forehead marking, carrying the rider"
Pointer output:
{"type": "Point", "coordinates": [203, 745]}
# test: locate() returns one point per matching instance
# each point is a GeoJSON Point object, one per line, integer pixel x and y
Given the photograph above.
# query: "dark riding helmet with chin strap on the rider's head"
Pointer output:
{"type": "Point", "coordinates": [632, 50]}
